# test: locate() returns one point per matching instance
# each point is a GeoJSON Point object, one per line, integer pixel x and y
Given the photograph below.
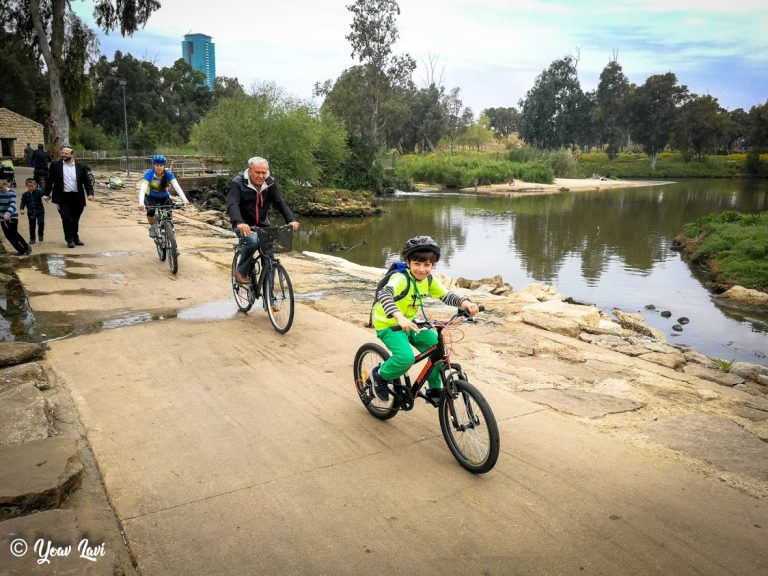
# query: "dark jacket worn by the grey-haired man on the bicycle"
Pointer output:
{"type": "Point", "coordinates": [244, 204]}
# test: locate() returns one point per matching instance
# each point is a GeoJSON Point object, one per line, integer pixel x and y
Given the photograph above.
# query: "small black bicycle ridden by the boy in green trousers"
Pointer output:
{"type": "Point", "coordinates": [466, 419]}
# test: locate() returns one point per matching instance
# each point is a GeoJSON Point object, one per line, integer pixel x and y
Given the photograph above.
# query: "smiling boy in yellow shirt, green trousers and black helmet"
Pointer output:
{"type": "Point", "coordinates": [420, 254]}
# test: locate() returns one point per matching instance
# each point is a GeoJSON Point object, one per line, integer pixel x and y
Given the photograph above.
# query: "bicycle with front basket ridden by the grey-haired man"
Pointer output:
{"type": "Point", "coordinates": [269, 279]}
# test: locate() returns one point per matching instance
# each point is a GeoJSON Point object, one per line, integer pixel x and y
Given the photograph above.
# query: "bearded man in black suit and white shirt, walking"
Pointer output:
{"type": "Point", "coordinates": [68, 186]}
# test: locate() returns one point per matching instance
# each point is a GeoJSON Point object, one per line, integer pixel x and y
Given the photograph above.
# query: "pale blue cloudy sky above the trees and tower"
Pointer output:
{"type": "Point", "coordinates": [493, 50]}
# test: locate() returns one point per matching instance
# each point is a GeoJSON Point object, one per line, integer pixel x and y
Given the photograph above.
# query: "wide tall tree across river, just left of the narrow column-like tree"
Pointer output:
{"type": "Point", "coordinates": [548, 111]}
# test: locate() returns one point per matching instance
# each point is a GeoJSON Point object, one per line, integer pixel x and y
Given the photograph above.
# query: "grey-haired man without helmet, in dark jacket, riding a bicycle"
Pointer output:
{"type": "Point", "coordinates": [251, 194]}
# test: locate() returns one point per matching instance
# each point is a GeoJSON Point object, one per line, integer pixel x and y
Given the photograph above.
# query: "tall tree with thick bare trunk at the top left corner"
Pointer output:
{"type": "Point", "coordinates": [52, 27]}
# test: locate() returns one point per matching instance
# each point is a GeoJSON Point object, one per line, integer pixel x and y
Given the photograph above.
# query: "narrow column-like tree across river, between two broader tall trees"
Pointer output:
{"type": "Point", "coordinates": [610, 112]}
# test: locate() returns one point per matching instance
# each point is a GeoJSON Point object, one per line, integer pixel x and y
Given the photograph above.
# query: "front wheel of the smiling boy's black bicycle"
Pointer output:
{"type": "Point", "coordinates": [469, 428]}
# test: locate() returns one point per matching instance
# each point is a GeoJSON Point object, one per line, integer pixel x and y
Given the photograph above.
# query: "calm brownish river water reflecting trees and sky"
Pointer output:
{"type": "Point", "coordinates": [611, 248]}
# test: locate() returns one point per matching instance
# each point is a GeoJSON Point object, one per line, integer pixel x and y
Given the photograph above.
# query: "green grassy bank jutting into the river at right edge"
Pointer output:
{"type": "Point", "coordinates": [732, 247]}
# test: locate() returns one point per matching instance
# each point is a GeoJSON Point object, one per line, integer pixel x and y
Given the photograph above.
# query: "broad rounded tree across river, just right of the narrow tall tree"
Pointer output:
{"type": "Point", "coordinates": [653, 110]}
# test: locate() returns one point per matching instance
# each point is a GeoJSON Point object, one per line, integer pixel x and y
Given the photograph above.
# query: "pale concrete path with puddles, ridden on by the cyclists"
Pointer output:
{"type": "Point", "coordinates": [226, 448]}
